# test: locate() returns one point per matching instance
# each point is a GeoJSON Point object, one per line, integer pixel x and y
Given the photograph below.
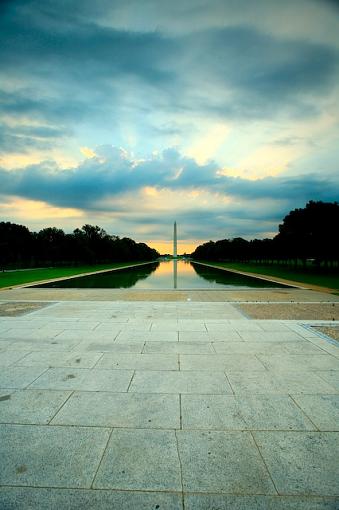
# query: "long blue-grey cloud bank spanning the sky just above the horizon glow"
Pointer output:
{"type": "Point", "coordinates": [113, 173]}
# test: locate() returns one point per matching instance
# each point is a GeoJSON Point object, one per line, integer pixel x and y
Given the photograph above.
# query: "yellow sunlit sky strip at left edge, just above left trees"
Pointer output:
{"type": "Point", "coordinates": [22, 209]}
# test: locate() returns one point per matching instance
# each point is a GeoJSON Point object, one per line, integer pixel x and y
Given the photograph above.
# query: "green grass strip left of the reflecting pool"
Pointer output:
{"type": "Point", "coordinates": [10, 278]}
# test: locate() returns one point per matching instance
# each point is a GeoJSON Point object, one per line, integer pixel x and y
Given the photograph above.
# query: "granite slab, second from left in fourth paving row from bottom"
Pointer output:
{"type": "Point", "coordinates": [84, 379]}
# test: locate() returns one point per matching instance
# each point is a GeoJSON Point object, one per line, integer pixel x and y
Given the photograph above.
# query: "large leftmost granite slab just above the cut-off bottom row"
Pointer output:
{"type": "Point", "coordinates": [42, 456]}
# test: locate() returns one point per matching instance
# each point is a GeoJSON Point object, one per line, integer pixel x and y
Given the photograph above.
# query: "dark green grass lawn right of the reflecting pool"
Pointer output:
{"type": "Point", "coordinates": [310, 276]}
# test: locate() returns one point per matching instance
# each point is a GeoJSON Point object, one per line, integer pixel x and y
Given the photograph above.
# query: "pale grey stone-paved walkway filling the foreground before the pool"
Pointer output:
{"type": "Point", "coordinates": [155, 405]}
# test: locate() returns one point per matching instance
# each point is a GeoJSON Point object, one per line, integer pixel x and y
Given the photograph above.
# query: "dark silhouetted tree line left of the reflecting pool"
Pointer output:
{"type": "Point", "coordinates": [19, 247]}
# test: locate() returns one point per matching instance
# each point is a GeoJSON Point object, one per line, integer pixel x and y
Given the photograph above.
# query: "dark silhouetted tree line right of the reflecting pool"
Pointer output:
{"type": "Point", "coordinates": [307, 236]}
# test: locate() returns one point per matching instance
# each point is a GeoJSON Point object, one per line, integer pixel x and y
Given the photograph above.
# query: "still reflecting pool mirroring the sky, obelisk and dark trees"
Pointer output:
{"type": "Point", "coordinates": [177, 274]}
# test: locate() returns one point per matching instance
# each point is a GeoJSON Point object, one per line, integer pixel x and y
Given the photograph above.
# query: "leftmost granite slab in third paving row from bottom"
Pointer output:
{"type": "Point", "coordinates": [30, 406]}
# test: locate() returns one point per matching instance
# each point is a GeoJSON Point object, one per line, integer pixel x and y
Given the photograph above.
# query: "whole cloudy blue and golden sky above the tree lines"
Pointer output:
{"type": "Point", "coordinates": [130, 114]}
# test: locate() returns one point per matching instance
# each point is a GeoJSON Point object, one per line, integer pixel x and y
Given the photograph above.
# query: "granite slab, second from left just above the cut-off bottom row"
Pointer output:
{"type": "Point", "coordinates": [140, 459]}
